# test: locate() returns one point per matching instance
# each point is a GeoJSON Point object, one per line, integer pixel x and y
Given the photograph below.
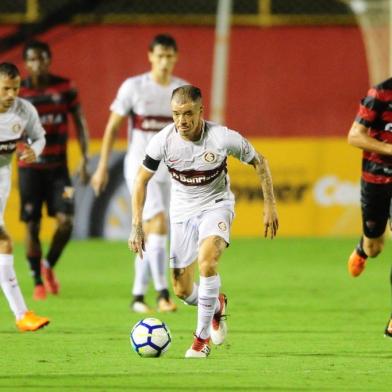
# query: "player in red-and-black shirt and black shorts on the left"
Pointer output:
{"type": "Point", "coordinates": [47, 180]}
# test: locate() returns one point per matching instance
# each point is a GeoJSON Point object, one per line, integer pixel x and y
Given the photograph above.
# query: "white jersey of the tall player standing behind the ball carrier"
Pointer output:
{"type": "Point", "coordinates": [147, 104]}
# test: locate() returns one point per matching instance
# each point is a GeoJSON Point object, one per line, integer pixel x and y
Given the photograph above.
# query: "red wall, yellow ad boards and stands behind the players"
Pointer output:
{"type": "Point", "coordinates": [297, 71]}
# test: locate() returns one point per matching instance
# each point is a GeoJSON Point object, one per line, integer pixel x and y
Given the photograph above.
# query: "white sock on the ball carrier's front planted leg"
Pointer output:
{"type": "Point", "coordinates": [208, 297]}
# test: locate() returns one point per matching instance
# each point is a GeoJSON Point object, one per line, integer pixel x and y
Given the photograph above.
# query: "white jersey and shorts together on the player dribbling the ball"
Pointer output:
{"type": "Point", "coordinates": [202, 203]}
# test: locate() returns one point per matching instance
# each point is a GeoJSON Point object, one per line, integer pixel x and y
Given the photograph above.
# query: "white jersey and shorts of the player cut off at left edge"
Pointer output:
{"type": "Point", "coordinates": [20, 120]}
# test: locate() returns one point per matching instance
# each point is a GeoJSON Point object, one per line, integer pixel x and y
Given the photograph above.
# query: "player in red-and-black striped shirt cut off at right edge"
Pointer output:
{"type": "Point", "coordinates": [371, 132]}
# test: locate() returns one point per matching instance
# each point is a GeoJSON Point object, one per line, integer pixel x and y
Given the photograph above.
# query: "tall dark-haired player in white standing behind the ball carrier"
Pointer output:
{"type": "Point", "coordinates": [145, 100]}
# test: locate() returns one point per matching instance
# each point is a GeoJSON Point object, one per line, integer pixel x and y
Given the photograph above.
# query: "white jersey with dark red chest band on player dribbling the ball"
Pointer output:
{"type": "Point", "coordinates": [198, 169]}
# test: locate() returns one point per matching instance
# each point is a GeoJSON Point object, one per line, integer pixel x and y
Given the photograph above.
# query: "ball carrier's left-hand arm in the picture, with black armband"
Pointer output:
{"type": "Point", "coordinates": [136, 241]}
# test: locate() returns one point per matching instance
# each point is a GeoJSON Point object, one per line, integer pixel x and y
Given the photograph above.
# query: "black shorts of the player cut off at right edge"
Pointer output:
{"type": "Point", "coordinates": [376, 208]}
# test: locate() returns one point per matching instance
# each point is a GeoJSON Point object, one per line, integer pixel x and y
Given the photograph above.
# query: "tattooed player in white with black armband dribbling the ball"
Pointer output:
{"type": "Point", "coordinates": [202, 207]}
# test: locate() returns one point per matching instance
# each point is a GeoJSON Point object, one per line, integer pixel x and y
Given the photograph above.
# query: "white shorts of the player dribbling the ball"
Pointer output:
{"type": "Point", "coordinates": [186, 237]}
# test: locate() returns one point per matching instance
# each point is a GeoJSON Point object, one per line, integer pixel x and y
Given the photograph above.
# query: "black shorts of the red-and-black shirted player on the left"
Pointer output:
{"type": "Point", "coordinates": [52, 187]}
